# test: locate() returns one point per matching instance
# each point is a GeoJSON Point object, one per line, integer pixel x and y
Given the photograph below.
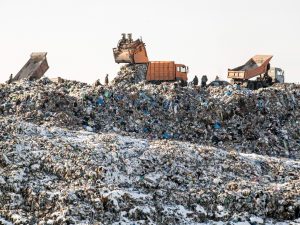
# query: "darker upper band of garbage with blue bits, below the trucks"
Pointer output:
{"type": "Point", "coordinates": [266, 121]}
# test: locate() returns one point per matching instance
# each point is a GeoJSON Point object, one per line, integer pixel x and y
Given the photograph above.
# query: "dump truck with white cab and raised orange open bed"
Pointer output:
{"type": "Point", "coordinates": [256, 73]}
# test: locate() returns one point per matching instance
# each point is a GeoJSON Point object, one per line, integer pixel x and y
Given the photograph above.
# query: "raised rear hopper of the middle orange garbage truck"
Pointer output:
{"type": "Point", "coordinates": [129, 51]}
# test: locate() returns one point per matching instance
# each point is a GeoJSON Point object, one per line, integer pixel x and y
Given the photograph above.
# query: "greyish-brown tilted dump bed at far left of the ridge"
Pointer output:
{"type": "Point", "coordinates": [35, 68]}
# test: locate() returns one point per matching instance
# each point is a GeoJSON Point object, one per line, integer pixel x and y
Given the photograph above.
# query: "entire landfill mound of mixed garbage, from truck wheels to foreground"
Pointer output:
{"type": "Point", "coordinates": [134, 152]}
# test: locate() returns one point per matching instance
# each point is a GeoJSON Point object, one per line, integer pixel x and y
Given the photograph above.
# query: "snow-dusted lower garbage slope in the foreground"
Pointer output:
{"type": "Point", "coordinates": [52, 175]}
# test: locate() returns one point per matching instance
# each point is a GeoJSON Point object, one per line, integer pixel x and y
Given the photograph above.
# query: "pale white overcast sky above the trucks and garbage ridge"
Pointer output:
{"type": "Point", "coordinates": [208, 36]}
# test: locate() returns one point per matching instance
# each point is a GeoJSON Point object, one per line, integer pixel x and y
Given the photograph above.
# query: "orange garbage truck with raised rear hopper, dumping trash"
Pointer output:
{"type": "Point", "coordinates": [134, 52]}
